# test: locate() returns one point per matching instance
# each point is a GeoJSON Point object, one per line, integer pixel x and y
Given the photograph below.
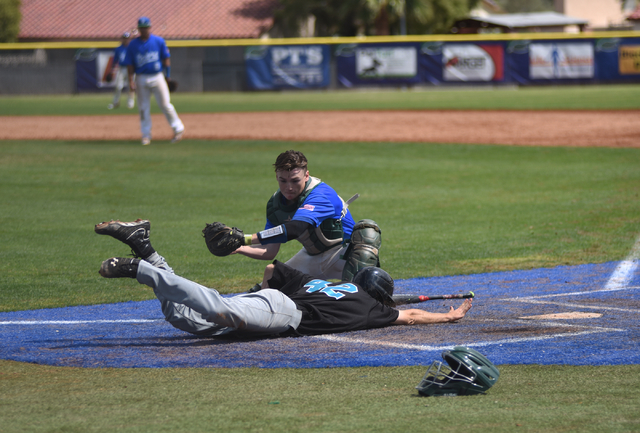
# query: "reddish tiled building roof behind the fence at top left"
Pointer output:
{"type": "Point", "coordinates": [74, 20]}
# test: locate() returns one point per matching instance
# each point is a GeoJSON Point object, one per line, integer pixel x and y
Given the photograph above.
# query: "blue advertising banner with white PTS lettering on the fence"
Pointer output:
{"type": "Point", "coordinates": [287, 66]}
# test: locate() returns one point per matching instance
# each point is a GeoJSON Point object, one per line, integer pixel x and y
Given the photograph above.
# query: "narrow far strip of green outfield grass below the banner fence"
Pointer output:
{"type": "Point", "coordinates": [606, 97]}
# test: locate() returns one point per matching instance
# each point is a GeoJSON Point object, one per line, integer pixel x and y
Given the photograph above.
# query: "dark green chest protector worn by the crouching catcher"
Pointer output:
{"type": "Point", "coordinates": [316, 240]}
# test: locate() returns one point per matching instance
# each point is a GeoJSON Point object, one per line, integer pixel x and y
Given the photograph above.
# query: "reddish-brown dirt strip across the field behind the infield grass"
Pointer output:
{"type": "Point", "coordinates": [526, 128]}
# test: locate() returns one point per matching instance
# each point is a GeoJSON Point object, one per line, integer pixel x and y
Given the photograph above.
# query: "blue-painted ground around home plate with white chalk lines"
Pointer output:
{"type": "Point", "coordinates": [134, 334]}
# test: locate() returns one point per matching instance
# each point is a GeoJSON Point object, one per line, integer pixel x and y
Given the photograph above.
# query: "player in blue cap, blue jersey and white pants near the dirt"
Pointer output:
{"type": "Point", "coordinates": [148, 60]}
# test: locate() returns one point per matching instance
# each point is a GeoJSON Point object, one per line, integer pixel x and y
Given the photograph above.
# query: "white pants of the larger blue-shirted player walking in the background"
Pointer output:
{"type": "Point", "coordinates": [146, 85]}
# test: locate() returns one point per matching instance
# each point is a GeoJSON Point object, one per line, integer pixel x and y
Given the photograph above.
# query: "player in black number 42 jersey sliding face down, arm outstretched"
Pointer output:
{"type": "Point", "coordinates": [293, 304]}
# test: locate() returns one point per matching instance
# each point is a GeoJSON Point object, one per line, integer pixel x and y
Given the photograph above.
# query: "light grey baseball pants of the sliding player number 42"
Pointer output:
{"type": "Point", "coordinates": [200, 310]}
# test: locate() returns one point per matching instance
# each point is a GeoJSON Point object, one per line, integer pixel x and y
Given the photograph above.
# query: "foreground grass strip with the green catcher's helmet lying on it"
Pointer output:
{"type": "Point", "coordinates": [526, 398]}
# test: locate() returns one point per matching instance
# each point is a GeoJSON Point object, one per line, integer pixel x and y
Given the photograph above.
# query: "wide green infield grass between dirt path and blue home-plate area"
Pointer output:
{"type": "Point", "coordinates": [443, 209]}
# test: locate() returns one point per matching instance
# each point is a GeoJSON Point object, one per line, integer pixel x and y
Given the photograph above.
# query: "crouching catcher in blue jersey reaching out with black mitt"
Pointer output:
{"type": "Point", "coordinates": [308, 210]}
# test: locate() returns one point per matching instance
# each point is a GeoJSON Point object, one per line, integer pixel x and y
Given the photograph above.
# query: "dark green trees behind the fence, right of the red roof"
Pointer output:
{"type": "Point", "coordinates": [369, 17]}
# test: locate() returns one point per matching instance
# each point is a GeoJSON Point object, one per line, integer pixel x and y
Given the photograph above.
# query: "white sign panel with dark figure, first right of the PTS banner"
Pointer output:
{"type": "Point", "coordinates": [386, 62]}
